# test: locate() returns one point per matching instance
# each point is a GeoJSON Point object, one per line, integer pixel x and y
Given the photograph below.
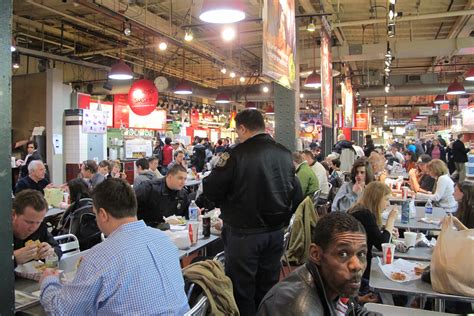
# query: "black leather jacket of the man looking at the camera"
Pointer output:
{"type": "Point", "coordinates": [302, 294]}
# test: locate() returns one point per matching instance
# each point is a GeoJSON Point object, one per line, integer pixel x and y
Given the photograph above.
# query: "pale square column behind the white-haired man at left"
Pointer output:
{"type": "Point", "coordinates": [58, 98]}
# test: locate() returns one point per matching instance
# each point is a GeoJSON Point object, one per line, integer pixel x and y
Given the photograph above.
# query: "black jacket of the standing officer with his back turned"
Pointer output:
{"type": "Point", "coordinates": [255, 184]}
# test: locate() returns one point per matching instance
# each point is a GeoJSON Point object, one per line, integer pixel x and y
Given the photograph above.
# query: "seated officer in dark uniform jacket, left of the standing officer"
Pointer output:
{"type": "Point", "coordinates": [162, 197]}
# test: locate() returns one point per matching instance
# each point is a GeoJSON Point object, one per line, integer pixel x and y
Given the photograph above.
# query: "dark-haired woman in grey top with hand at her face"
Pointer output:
{"type": "Point", "coordinates": [347, 195]}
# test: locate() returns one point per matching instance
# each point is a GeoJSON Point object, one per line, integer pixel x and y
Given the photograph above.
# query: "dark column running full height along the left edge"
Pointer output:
{"type": "Point", "coordinates": [7, 278]}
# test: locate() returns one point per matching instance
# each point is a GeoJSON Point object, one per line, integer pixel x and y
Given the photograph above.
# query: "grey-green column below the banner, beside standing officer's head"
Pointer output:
{"type": "Point", "coordinates": [286, 116]}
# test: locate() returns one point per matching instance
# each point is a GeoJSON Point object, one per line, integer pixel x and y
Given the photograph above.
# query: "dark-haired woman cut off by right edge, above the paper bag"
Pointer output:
{"type": "Point", "coordinates": [464, 195]}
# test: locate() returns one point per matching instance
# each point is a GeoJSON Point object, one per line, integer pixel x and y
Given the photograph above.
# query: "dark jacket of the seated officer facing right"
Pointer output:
{"type": "Point", "coordinates": [156, 200]}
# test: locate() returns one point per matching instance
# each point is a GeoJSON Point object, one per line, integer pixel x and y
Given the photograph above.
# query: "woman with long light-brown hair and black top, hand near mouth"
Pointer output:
{"type": "Point", "coordinates": [368, 211]}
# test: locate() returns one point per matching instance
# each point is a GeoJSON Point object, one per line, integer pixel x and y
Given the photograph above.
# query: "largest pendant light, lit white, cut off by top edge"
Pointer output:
{"type": "Point", "coordinates": [222, 12]}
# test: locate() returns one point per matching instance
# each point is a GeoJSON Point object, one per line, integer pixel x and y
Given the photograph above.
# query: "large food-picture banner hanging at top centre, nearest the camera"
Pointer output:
{"type": "Point", "coordinates": [279, 41]}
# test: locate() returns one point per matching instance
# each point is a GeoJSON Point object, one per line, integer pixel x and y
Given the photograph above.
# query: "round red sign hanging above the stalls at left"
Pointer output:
{"type": "Point", "coordinates": [143, 97]}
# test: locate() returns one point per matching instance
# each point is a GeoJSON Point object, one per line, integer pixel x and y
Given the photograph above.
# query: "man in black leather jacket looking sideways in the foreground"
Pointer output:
{"type": "Point", "coordinates": [326, 284]}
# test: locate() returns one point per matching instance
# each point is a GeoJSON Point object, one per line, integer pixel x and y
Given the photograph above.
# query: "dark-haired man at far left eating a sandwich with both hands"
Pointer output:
{"type": "Point", "coordinates": [32, 241]}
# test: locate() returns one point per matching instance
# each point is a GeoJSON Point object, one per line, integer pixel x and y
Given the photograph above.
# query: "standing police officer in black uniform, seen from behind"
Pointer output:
{"type": "Point", "coordinates": [255, 186]}
